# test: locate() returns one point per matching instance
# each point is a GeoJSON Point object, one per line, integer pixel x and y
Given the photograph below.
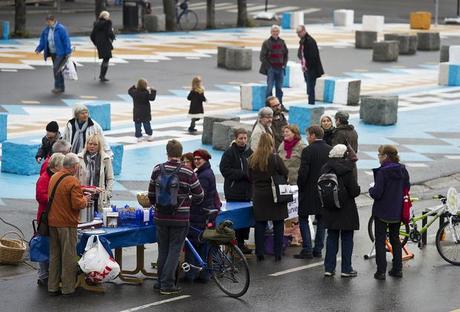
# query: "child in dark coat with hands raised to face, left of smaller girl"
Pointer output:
{"type": "Point", "coordinates": [142, 95]}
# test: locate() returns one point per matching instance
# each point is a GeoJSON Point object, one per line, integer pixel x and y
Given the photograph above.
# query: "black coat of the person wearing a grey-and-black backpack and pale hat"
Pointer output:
{"type": "Point", "coordinates": [345, 218]}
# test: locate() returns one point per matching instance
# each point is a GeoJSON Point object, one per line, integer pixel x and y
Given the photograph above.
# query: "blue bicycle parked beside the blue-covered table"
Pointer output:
{"type": "Point", "coordinates": [224, 261]}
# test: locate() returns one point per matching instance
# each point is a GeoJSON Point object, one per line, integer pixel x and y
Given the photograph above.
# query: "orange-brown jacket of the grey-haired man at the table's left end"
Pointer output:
{"type": "Point", "coordinates": [68, 200]}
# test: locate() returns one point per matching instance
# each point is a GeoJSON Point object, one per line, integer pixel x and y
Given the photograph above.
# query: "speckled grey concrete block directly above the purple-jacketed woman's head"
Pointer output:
{"type": "Point", "coordinates": [379, 110]}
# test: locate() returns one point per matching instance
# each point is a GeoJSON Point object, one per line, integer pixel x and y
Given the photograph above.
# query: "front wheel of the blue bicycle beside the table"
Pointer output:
{"type": "Point", "coordinates": [229, 269]}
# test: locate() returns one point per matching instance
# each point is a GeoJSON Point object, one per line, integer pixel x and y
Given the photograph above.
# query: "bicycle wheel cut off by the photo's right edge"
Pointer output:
{"type": "Point", "coordinates": [448, 242]}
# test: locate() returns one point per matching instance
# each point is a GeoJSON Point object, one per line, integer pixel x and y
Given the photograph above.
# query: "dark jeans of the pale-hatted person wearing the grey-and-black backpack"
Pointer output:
{"type": "Point", "coordinates": [332, 247]}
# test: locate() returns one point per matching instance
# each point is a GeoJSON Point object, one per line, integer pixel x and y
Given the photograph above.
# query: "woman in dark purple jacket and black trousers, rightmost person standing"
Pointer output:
{"type": "Point", "coordinates": [389, 181]}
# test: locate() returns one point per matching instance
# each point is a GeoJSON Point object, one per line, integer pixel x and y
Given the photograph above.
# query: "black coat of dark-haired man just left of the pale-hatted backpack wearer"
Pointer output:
{"type": "Point", "coordinates": [314, 156]}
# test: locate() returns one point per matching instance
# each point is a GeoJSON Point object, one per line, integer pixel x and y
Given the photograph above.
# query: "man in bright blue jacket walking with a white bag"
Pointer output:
{"type": "Point", "coordinates": [55, 43]}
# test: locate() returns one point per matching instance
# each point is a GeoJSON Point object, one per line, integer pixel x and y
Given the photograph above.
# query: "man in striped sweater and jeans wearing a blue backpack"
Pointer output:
{"type": "Point", "coordinates": [171, 228]}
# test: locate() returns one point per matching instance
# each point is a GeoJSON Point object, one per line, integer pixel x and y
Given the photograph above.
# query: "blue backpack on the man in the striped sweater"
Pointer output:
{"type": "Point", "coordinates": [166, 191]}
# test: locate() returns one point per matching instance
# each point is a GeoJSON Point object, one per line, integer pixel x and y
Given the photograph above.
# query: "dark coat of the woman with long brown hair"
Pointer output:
{"type": "Point", "coordinates": [264, 207]}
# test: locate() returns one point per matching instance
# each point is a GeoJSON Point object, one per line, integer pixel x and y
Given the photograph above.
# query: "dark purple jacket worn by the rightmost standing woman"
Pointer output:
{"type": "Point", "coordinates": [390, 179]}
